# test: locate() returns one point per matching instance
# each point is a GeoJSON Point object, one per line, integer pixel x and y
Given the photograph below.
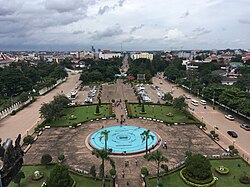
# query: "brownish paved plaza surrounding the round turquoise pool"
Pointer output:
{"type": "Point", "coordinates": [72, 142]}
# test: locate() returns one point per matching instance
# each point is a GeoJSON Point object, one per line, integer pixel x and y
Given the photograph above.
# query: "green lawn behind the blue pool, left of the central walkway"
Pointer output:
{"type": "Point", "coordinates": [82, 114]}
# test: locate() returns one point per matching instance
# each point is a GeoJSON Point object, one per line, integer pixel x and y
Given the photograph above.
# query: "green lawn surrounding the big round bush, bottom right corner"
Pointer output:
{"type": "Point", "coordinates": [229, 180]}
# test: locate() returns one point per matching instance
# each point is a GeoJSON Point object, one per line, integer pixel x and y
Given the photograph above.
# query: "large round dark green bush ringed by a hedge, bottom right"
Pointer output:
{"type": "Point", "coordinates": [198, 167]}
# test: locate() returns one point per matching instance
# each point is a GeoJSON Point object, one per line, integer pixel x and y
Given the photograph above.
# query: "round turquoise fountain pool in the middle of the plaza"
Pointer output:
{"type": "Point", "coordinates": [123, 140]}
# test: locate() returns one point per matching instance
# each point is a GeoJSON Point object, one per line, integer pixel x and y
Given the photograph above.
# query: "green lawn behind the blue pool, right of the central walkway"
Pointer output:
{"type": "Point", "coordinates": [160, 112]}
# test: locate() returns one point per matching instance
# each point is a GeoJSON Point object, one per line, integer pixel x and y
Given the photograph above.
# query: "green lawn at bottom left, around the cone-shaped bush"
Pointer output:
{"type": "Point", "coordinates": [81, 181]}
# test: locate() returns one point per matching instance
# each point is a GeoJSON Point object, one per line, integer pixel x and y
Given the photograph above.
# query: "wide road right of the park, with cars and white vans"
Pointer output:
{"type": "Point", "coordinates": [213, 118]}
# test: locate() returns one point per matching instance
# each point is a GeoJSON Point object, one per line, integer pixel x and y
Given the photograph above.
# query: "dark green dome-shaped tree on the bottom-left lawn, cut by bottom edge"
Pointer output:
{"type": "Point", "coordinates": [59, 177]}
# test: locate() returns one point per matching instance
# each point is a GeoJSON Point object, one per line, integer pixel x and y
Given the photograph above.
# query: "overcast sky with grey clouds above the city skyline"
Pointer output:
{"type": "Point", "coordinates": [132, 24]}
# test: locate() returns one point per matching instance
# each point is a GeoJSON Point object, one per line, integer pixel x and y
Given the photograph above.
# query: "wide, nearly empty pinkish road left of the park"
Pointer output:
{"type": "Point", "coordinates": [26, 119]}
